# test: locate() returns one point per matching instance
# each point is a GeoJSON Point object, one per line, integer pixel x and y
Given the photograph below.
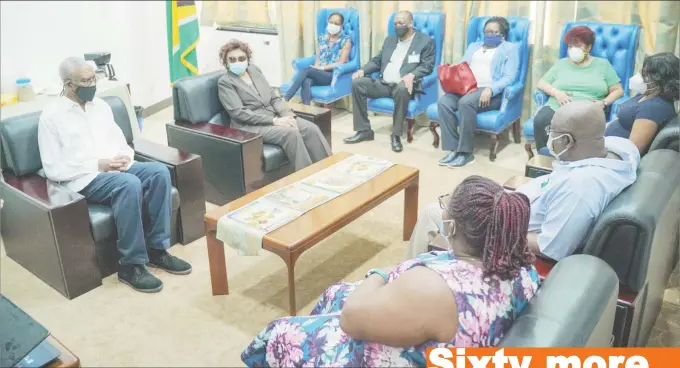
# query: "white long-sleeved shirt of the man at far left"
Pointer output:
{"type": "Point", "coordinates": [73, 140]}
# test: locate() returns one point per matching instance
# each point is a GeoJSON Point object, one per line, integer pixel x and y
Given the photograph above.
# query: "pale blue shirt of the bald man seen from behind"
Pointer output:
{"type": "Point", "coordinates": [567, 202]}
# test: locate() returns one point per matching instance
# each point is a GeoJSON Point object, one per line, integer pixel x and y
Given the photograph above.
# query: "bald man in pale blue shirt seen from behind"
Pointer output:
{"type": "Point", "coordinates": [588, 173]}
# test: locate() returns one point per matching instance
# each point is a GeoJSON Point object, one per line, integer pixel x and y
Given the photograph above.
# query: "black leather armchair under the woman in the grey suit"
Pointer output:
{"type": "Point", "coordinates": [235, 162]}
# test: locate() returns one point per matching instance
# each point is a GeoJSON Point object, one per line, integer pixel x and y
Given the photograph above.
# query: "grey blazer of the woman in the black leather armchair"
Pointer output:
{"type": "Point", "coordinates": [246, 106]}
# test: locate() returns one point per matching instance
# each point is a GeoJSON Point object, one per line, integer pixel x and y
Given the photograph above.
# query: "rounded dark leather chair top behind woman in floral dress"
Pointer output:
{"type": "Point", "coordinates": [565, 313]}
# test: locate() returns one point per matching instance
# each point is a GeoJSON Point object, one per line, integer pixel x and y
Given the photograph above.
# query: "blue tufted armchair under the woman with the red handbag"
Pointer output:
{"type": "Point", "coordinates": [496, 122]}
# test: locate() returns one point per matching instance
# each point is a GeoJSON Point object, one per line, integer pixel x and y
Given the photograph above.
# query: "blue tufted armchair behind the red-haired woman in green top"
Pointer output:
{"type": "Point", "coordinates": [614, 42]}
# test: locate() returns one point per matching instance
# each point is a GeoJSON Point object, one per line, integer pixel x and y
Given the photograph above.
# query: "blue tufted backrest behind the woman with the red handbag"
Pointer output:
{"type": "Point", "coordinates": [519, 34]}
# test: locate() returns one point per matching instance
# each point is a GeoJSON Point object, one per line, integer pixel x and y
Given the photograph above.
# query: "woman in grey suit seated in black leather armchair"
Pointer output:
{"type": "Point", "coordinates": [252, 106]}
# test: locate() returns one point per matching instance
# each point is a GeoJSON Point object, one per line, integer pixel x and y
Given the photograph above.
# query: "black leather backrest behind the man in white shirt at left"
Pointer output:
{"type": "Point", "coordinates": [19, 135]}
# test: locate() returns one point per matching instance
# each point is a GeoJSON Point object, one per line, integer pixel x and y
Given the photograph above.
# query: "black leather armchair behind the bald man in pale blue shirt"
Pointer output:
{"type": "Point", "coordinates": [637, 235]}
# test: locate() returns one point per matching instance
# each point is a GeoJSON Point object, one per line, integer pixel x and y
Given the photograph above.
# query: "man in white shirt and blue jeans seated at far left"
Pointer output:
{"type": "Point", "coordinates": [82, 147]}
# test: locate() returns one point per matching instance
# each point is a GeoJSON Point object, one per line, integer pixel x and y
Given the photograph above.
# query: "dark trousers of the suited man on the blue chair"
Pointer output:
{"type": "Point", "coordinates": [364, 88]}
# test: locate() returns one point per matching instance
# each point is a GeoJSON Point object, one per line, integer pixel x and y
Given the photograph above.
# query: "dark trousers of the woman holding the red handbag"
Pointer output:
{"type": "Point", "coordinates": [459, 134]}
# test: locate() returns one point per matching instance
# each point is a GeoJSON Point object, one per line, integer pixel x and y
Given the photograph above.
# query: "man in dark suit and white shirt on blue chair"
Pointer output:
{"type": "Point", "coordinates": [403, 62]}
